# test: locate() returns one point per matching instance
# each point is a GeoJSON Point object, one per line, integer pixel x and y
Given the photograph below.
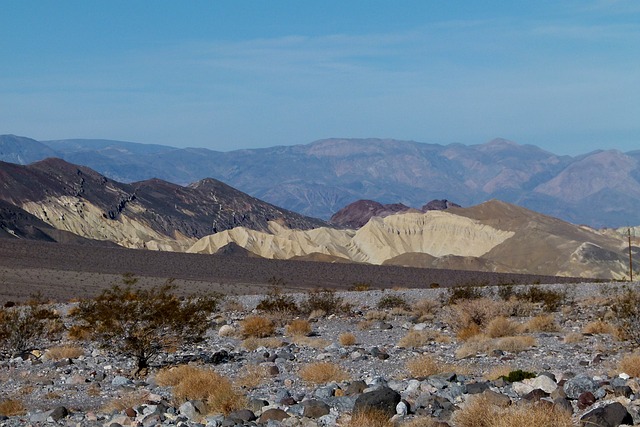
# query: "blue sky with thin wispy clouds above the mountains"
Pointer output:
{"type": "Point", "coordinates": [563, 75]}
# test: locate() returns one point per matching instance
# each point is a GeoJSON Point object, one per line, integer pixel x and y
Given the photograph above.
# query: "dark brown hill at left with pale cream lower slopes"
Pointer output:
{"type": "Point", "coordinates": [80, 200]}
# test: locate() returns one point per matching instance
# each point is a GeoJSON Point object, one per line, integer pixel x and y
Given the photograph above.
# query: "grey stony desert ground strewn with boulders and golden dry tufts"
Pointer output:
{"type": "Point", "coordinates": [492, 356]}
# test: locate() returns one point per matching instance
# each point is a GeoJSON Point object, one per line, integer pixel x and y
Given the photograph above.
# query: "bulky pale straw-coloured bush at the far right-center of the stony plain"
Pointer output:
{"type": "Point", "coordinates": [466, 312]}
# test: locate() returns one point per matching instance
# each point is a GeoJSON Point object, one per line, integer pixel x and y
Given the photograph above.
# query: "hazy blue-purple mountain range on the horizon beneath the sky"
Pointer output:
{"type": "Point", "coordinates": [600, 189]}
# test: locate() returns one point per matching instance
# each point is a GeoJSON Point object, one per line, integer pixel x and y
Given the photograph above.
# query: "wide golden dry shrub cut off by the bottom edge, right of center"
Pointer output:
{"type": "Point", "coordinates": [479, 412]}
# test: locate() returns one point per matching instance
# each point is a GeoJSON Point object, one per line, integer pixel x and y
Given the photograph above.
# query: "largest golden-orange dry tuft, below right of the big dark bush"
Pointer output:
{"type": "Point", "coordinates": [193, 383]}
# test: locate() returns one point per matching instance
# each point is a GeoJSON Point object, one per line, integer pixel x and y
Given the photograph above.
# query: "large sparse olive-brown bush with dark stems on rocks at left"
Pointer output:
{"type": "Point", "coordinates": [142, 323]}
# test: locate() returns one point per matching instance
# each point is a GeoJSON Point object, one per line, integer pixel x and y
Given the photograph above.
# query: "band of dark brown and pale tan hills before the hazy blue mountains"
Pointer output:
{"type": "Point", "coordinates": [53, 200]}
